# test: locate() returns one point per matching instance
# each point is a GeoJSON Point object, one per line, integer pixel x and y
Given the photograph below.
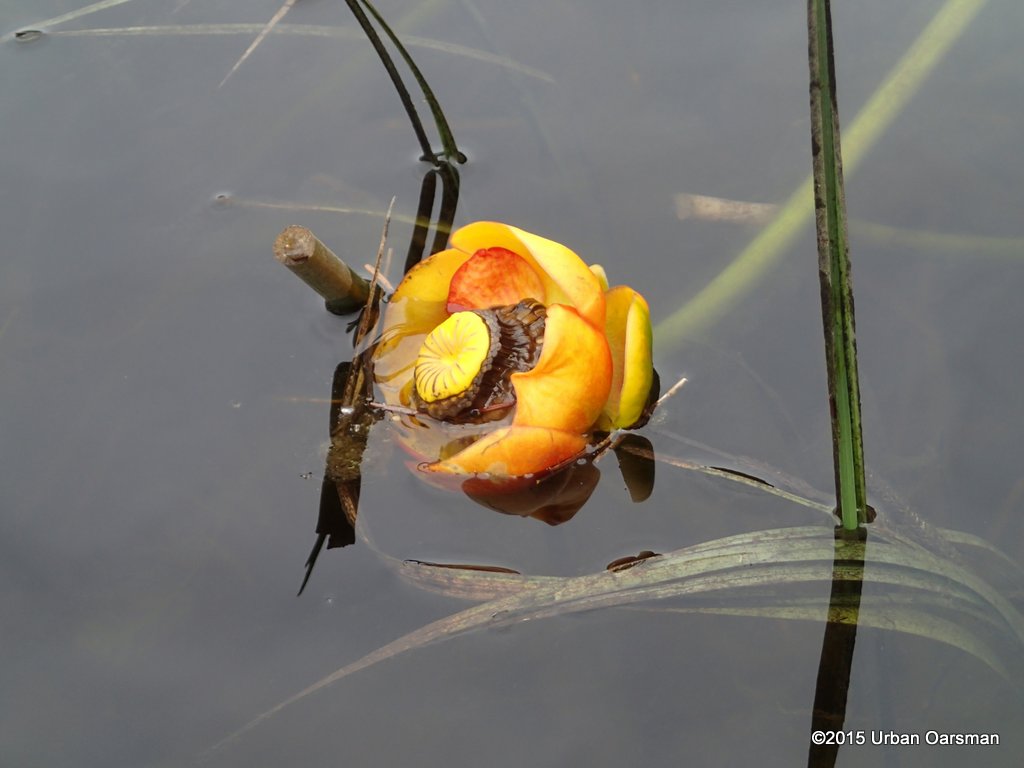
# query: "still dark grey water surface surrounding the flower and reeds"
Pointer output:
{"type": "Point", "coordinates": [163, 381]}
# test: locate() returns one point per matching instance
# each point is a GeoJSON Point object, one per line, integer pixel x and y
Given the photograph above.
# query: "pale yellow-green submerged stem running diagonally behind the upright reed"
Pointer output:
{"type": "Point", "coordinates": [764, 252]}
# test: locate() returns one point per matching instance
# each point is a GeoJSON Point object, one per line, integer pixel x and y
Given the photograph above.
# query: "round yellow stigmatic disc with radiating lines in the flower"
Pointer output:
{"type": "Point", "coordinates": [451, 357]}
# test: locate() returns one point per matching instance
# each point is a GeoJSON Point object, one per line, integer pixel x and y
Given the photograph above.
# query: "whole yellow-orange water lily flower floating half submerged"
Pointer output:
{"type": "Point", "coordinates": [513, 352]}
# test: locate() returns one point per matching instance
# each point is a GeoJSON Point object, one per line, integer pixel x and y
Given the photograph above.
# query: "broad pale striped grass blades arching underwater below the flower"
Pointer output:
{"type": "Point", "coordinates": [719, 572]}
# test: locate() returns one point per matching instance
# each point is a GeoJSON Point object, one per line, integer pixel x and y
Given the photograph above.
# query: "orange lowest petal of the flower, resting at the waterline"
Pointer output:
{"type": "Point", "coordinates": [513, 452]}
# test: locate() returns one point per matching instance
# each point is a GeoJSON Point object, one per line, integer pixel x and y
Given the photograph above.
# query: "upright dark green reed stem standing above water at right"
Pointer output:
{"type": "Point", "coordinates": [834, 272]}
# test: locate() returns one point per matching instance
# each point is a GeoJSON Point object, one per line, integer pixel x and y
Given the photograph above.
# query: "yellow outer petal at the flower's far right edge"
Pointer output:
{"type": "Point", "coordinates": [630, 340]}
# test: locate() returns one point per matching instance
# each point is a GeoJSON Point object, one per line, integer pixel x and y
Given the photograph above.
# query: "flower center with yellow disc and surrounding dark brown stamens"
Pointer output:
{"type": "Point", "coordinates": [463, 372]}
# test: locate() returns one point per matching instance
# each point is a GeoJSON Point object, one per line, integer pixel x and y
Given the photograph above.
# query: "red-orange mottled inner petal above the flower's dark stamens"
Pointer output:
{"type": "Point", "coordinates": [494, 277]}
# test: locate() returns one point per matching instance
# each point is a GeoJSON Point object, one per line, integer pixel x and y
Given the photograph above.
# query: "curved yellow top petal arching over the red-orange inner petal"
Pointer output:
{"type": "Point", "coordinates": [567, 279]}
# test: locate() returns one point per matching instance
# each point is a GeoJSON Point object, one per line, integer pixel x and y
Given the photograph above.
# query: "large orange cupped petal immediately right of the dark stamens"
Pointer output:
{"type": "Point", "coordinates": [570, 386]}
